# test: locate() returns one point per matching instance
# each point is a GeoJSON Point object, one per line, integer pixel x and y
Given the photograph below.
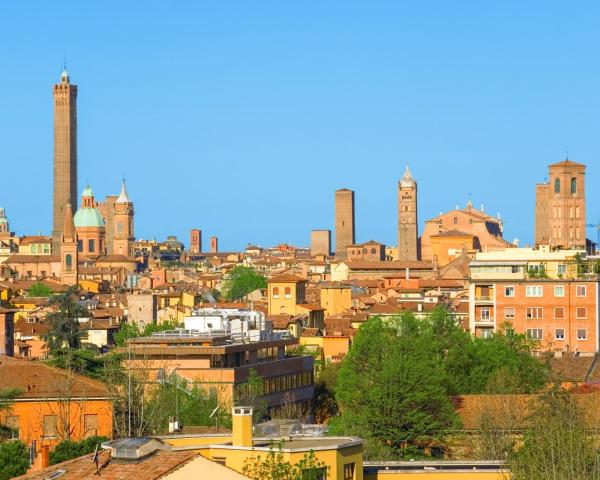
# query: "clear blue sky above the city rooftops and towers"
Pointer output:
{"type": "Point", "coordinates": [242, 117]}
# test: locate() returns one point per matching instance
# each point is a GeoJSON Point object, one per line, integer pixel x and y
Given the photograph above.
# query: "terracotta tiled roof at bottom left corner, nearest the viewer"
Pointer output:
{"type": "Point", "coordinates": [149, 468]}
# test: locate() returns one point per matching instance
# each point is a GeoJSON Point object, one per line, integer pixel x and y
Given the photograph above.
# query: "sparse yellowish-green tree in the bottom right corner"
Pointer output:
{"type": "Point", "coordinates": [558, 443]}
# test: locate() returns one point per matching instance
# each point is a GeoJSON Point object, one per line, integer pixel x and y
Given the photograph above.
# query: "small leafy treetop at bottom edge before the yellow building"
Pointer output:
{"type": "Point", "coordinates": [275, 467]}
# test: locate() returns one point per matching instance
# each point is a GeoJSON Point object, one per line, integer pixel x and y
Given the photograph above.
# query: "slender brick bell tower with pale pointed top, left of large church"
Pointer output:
{"type": "Point", "coordinates": [408, 235]}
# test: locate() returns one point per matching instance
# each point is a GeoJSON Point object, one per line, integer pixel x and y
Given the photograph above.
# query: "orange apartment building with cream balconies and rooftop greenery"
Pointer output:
{"type": "Point", "coordinates": [536, 292]}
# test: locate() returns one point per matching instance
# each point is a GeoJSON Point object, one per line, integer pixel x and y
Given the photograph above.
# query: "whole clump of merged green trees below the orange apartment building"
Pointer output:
{"type": "Point", "coordinates": [395, 385]}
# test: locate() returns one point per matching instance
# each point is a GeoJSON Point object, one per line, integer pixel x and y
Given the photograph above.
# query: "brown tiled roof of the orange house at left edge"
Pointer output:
{"type": "Point", "coordinates": [38, 381]}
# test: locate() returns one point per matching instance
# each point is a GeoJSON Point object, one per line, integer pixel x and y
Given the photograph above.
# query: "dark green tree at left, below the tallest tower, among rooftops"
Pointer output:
{"type": "Point", "coordinates": [63, 321]}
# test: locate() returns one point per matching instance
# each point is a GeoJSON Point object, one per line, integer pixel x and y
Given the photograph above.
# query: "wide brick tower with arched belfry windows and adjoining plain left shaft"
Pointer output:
{"type": "Point", "coordinates": [560, 207]}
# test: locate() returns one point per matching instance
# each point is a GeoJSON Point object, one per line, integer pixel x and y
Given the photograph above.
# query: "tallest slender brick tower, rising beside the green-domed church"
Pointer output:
{"type": "Point", "coordinates": [65, 154]}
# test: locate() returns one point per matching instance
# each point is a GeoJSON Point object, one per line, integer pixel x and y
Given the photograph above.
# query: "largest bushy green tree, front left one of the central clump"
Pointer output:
{"type": "Point", "coordinates": [403, 404]}
